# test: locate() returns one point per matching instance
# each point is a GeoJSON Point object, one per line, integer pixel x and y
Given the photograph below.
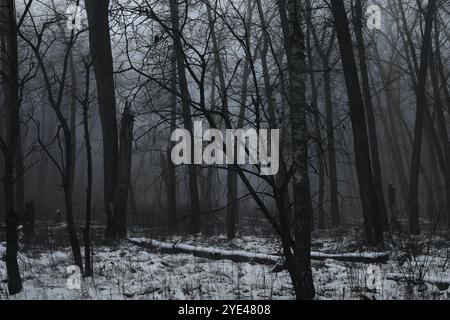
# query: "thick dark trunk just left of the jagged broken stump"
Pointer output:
{"type": "Point", "coordinates": [100, 46]}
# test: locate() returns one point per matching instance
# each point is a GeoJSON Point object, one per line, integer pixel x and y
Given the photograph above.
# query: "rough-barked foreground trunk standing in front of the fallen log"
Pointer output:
{"type": "Point", "coordinates": [298, 254]}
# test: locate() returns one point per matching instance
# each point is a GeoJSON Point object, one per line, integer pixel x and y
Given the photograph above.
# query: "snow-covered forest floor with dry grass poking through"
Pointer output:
{"type": "Point", "coordinates": [419, 267]}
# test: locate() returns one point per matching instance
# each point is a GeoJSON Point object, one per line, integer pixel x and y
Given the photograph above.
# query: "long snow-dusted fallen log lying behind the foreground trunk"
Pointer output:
{"type": "Point", "coordinates": [245, 256]}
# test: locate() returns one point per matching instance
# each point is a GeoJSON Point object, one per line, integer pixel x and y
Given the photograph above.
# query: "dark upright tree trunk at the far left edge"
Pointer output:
{"type": "Point", "coordinates": [9, 143]}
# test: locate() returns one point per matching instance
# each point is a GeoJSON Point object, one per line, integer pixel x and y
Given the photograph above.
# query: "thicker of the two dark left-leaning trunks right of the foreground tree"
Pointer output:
{"type": "Point", "coordinates": [367, 189]}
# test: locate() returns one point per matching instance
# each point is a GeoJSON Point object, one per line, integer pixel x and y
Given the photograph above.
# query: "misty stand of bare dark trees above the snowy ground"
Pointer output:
{"type": "Point", "coordinates": [87, 115]}
